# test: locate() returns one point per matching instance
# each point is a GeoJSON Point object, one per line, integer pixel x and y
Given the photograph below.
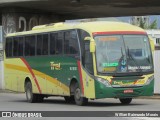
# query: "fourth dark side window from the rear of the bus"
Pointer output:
{"type": "Point", "coordinates": [30, 45]}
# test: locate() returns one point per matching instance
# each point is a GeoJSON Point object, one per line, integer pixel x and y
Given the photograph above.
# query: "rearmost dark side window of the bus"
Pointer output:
{"type": "Point", "coordinates": [8, 49]}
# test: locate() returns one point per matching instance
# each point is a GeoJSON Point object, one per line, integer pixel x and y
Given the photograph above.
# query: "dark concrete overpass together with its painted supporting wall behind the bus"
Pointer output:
{"type": "Point", "coordinates": [20, 15]}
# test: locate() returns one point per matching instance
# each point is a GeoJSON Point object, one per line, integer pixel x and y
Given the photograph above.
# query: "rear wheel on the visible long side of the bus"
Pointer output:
{"type": "Point", "coordinates": [31, 98]}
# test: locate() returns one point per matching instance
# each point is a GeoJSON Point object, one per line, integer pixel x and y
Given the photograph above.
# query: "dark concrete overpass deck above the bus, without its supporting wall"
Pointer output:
{"type": "Point", "coordinates": [88, 8]}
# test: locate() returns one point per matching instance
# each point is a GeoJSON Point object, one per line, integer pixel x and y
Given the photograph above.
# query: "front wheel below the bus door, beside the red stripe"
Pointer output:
{"type": "Point", "coordinates": [79, 100]}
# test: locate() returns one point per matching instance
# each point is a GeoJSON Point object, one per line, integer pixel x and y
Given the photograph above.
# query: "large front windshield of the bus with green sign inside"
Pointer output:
{"type": "Point", "coordinates": [123, 54]}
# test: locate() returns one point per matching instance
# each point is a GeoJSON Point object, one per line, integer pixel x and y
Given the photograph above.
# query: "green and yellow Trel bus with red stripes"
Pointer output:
{"type": "Point", "coordinates": [80, 61]}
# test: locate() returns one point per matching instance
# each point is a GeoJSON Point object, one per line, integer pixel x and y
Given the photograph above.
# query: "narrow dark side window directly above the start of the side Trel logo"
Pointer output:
{"type": "Point", "coordinates": [52, 43]}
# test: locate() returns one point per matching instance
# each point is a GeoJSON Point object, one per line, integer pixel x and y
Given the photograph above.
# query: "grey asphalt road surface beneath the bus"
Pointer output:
{"type": "Point", "coordinates": [17, 102]}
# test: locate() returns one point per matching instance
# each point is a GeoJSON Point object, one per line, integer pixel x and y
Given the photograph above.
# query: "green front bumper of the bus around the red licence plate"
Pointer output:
{"type": "Point", "coordinates": [101, 91]}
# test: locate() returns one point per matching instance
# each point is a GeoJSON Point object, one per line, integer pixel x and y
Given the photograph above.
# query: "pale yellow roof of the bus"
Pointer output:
{"type": "Point", "coordinates": [91, 27]}
